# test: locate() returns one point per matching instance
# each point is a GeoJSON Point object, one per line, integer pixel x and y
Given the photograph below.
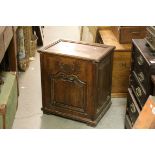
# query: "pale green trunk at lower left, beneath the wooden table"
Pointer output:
{"type": "Point", "coordinates": [8, 96]}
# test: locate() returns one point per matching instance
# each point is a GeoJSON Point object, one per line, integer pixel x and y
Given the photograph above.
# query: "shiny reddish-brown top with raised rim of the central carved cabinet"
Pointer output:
{"type": "Point", "coordinates": [78, 49]}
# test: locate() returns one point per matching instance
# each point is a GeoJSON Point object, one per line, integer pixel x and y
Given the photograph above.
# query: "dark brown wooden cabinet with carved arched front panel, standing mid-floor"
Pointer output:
{"type": "Point", "coordinates": [76, 80]}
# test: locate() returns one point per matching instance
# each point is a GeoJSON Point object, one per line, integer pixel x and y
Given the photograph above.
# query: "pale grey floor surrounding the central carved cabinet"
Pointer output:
{"type": "Point", "coordinates": [29, 114]}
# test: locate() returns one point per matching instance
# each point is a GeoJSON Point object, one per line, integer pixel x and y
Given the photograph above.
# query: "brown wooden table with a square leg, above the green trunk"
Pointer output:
{"type": "Point", "coordinates": [8, 48]}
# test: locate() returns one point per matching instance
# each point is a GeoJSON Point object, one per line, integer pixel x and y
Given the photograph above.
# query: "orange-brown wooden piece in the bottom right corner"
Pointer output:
{"type": "Point", "coordinates": [146, 118]}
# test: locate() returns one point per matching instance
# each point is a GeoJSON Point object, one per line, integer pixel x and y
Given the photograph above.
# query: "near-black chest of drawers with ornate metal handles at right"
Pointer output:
{"type": "Point", "coordinates": [140, 83]}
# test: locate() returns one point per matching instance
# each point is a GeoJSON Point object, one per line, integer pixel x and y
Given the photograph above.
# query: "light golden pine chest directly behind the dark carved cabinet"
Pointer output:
{"type": "Point", "coordinates": [121, 63]}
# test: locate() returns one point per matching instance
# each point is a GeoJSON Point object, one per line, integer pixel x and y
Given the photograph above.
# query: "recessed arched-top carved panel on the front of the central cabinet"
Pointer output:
{"type": "Point", "coordinates": [67, 91]}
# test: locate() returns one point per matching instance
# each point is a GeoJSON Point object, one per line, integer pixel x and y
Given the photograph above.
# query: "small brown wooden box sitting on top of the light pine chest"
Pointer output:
{"type": "Point", "coordinates": [125, 34]}
